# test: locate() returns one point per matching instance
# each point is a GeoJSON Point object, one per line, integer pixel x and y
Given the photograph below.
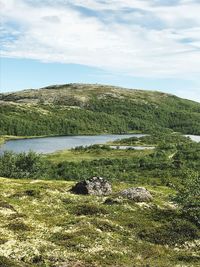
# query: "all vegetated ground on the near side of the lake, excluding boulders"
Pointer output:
{"type": "Point", "coordinates": [43, 224]}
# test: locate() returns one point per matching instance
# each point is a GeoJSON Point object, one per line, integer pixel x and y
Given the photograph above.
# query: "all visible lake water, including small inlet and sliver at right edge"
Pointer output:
{"type": "Point", "coordinates": [52, 144]}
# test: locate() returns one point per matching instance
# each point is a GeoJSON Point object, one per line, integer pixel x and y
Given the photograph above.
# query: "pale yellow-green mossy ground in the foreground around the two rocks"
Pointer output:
{"type": "Point", "coordinates": [43, 224]}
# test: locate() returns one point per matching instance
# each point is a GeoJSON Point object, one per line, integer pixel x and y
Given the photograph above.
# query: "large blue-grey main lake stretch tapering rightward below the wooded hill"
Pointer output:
{"type": "Point", "coordinates": [52, 144]}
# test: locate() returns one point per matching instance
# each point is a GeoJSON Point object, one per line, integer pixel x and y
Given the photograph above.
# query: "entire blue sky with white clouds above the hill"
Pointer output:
{"type": "Point", "coordinates": [143, 44]}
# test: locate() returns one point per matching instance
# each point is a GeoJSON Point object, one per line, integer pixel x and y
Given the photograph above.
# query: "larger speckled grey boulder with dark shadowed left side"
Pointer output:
{"type": "Point", "coordinates": [94, 186]}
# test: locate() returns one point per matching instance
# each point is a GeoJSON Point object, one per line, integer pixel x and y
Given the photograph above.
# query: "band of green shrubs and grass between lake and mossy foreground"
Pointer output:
{"type": "Point", "coordinates": [166, 164]}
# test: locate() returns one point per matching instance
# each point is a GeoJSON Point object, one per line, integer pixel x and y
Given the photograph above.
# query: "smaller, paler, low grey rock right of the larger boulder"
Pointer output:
{"type": "Point", "coordinates": [137, 194]}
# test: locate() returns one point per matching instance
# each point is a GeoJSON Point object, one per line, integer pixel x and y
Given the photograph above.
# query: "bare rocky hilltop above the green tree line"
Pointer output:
{"type": "Point", "coordinates": [80, 92]}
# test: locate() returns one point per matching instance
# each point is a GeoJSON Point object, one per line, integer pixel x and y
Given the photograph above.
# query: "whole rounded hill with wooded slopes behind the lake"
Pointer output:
{"type": "Point", "coordinates": [91, 109]}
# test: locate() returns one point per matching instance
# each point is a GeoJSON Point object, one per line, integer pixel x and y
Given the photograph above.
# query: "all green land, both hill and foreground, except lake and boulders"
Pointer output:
{"type": "Point", "coordinates": [43, 224]}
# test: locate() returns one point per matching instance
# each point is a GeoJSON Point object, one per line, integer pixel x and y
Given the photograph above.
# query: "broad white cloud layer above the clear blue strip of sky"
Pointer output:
{"type": "Point", "coordinates": [167, 46]}
